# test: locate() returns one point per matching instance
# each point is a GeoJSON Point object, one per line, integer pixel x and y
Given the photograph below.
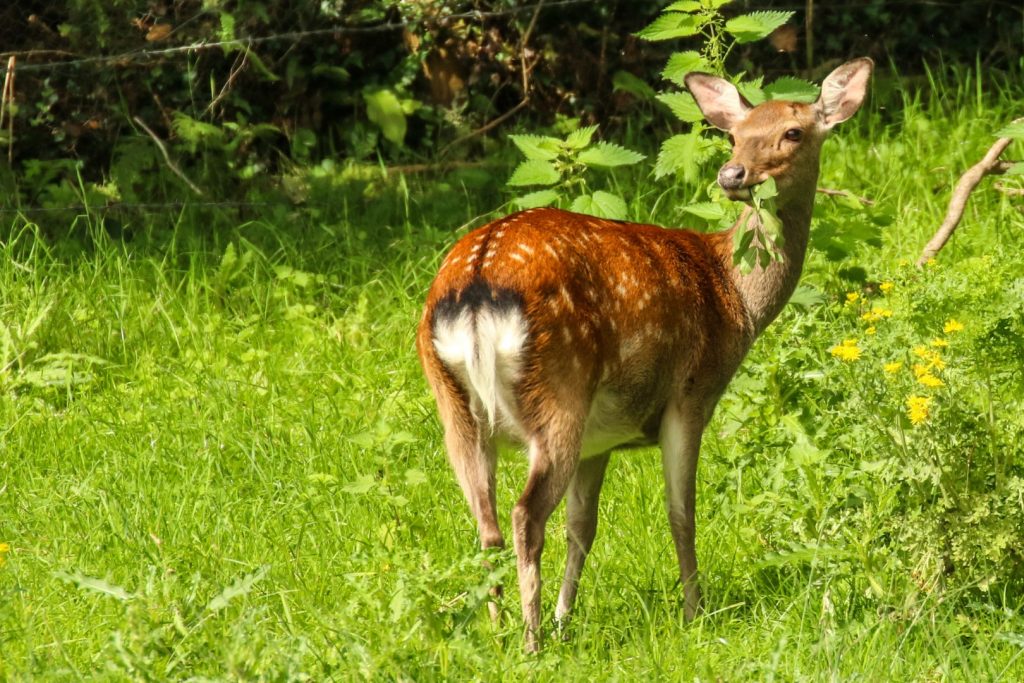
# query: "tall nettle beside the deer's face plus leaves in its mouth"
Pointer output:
{"type": "Point", "coordinates": [686, 155]}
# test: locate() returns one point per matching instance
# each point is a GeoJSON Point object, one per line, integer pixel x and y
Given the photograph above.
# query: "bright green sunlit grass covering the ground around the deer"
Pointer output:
{"type": "Point", "coordinates": [221, 459]}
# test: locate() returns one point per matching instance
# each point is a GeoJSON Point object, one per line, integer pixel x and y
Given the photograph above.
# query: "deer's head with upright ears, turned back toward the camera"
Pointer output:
{"type": "Point", "coordinates": [779, 139]}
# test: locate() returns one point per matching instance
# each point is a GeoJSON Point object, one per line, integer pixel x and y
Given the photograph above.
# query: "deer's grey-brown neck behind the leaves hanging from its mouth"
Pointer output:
{"type": "Point", "coordinates": [765, 291]}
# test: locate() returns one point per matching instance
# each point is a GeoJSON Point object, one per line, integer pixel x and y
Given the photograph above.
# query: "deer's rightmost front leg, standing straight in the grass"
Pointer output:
{"type": "Point", "coordinates": [680, 441]}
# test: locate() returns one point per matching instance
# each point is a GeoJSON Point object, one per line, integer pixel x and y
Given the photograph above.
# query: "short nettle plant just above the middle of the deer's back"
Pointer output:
{"type": "Point", "coordinates": [561, 166]}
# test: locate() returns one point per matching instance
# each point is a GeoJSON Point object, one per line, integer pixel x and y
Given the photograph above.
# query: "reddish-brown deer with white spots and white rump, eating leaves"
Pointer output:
{"type": "Point", "coordinates": [575, 336]}
